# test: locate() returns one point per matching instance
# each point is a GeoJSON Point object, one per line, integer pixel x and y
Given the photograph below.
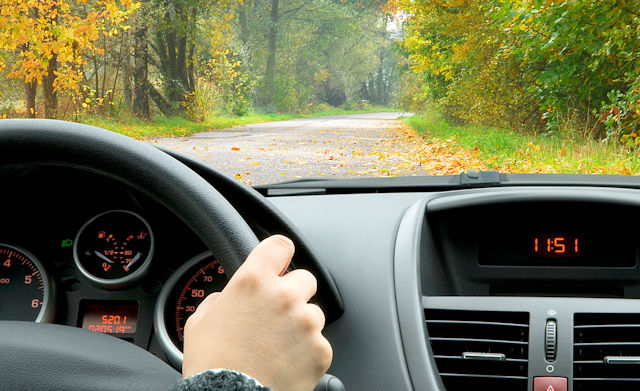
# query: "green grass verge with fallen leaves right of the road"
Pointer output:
{"type": "Point", "coordinates": [509, 151]}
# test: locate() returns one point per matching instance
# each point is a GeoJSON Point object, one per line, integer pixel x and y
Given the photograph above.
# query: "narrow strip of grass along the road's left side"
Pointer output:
{"type": "Point", "coordinates": [177, 126]}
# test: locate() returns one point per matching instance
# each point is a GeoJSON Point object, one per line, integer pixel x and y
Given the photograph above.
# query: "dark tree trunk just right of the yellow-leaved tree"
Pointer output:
{"type": "Point", "coordinates": [140, 70]}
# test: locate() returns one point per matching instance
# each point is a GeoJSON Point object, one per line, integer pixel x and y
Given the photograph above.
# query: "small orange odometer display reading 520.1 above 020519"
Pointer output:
{"type": "Point", "coordinates": [110, 317]}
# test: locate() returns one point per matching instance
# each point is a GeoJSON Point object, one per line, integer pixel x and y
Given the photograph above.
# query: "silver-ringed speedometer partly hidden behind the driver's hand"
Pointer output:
{"type": "Point", "coordinates": [179, 298]}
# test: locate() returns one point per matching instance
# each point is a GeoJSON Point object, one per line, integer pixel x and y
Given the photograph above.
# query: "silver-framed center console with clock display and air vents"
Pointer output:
{"type": "Point", "coordinates": [521, 289]}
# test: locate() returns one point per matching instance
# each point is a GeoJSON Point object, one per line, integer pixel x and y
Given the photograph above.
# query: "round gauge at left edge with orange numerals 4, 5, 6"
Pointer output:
{"type": "Point", "coordinates": [25, 290]}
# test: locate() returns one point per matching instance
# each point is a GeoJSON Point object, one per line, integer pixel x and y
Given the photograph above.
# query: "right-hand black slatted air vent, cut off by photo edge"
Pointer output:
{"type": "Point", "coordinates": [606, 352]}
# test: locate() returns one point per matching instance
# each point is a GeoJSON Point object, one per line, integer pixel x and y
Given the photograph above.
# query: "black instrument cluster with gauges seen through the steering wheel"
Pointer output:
{"type": "Point", "coordinates": [86, 251]}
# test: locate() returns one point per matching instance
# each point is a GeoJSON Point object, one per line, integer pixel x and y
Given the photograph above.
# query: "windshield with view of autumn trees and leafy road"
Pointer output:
{"type": "Point", "coordinates": [273, 90]}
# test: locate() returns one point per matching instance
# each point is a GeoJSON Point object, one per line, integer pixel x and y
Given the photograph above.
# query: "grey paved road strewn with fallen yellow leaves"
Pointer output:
{"type": "Point", "coordinates": [393, 149]}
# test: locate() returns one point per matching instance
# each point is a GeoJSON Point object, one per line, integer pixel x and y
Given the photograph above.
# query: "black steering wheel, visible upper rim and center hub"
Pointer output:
{"type": "Point", "coordinates": [54, 357]}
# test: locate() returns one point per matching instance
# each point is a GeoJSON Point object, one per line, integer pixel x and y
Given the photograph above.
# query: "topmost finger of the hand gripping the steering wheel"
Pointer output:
{"type": "Point", "coordinates": [271, 256]}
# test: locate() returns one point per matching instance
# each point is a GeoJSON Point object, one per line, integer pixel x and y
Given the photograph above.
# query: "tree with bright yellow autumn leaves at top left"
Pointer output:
{"type": "Point", "coordinates": [51, 40]}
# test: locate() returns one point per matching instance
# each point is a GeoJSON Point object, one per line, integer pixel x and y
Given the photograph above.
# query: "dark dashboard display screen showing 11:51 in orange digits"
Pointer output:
{"type": "Point", "coordinates": [552, 234]}
